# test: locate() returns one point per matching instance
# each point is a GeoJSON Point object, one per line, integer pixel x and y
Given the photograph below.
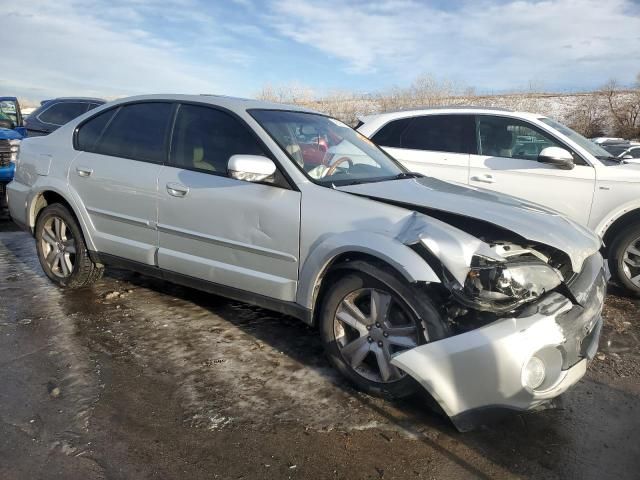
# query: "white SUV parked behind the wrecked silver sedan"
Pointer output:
{"type": "Point", "coordinates": [525, 155]}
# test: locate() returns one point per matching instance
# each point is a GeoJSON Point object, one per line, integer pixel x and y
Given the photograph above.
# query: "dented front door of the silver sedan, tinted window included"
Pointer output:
{"type": "Point", "coordinates": [215, 228]}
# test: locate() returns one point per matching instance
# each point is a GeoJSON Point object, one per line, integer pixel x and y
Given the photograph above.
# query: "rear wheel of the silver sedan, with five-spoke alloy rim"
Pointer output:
{"type": "Point", "coordinates": [61, 249]}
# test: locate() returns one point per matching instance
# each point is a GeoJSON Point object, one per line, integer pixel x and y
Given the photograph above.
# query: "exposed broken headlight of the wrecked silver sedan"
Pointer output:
{"type": "Point", "coordinates": [503, 286]}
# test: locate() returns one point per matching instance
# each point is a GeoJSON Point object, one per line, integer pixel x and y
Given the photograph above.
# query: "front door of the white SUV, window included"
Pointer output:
{"type": "Point", "coordinates": [507, 162]}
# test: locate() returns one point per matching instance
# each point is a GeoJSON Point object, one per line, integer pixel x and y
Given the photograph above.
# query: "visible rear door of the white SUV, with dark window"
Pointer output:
{"type": "Point", "coordinates": [434, 145]}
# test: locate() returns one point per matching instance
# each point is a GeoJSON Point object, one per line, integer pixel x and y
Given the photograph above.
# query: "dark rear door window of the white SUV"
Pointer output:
{"type": "Point", "coordinates": [440, 133]}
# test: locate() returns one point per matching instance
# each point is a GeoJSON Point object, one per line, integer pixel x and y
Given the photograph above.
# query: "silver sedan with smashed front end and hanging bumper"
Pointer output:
{"type": "Point", "coordinates": [489, 302]}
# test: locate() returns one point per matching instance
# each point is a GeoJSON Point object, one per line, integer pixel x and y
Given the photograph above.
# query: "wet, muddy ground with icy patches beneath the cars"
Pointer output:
{"type": "Point", "coordinates": [137, 378]}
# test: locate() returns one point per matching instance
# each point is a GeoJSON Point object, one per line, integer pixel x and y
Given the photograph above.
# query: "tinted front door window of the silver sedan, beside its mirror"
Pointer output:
{"type": "Point", "coordinates": [204, 138]}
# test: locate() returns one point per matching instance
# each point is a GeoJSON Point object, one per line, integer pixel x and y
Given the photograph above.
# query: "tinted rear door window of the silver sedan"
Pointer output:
{"type": "Point", "coordinates": [138, 131]}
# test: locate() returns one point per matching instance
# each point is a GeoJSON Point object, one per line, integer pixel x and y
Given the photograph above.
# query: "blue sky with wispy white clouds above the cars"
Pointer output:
{"type": "Point", "coordinates": [113, 48]}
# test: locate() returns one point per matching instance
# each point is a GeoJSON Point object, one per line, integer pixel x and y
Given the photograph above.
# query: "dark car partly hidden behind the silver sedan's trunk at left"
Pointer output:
{"type": "Point", "coordinates": [51, 114]}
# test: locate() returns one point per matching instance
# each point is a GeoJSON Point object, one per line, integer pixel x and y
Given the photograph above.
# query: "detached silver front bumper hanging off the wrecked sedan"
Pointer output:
{"type": "Point", "coordinates": [482, 370]}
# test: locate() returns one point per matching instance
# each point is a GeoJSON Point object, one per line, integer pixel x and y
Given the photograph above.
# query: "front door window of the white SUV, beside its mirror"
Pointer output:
{"type": "Point", "coordinates": [511, 138]}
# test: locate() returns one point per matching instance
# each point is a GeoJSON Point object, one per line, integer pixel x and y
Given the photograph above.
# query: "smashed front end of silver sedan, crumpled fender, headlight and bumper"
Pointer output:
{"type": "Point", "coordinates": [525, 322]}
